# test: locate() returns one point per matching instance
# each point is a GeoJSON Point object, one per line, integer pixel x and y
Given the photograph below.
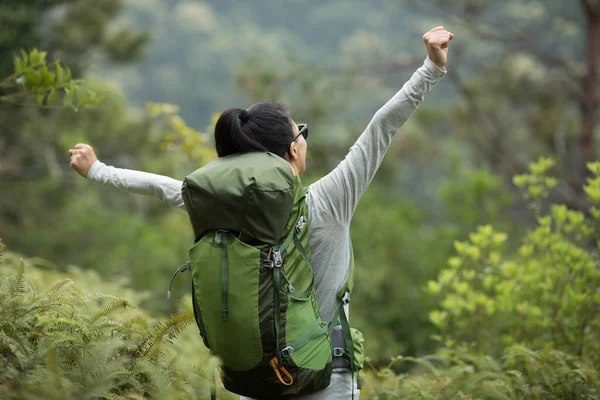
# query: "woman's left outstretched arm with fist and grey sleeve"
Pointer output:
{"type": "Point", "coordinates": [84, 161]}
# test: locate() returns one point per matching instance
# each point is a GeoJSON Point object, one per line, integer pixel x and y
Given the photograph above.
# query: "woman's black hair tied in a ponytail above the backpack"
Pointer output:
{"type": "Point", "coordinates": [261, 128]}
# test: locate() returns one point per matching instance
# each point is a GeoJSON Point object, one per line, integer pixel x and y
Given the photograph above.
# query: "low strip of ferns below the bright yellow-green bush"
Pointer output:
{"type": "Point", "coordinates": [455, 373]}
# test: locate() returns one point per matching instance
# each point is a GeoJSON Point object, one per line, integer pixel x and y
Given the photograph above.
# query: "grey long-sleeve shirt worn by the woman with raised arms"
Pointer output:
{"type": "Point", "coordinates": [331, 200]}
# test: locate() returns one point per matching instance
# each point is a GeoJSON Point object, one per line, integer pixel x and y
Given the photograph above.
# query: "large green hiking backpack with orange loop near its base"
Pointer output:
{"type": "Point", "coordinates": [252, 280]}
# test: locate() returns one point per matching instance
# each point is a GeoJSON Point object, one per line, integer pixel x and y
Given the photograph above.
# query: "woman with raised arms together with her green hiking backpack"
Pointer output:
{"type": "Point", "coordinates": [272, 267]}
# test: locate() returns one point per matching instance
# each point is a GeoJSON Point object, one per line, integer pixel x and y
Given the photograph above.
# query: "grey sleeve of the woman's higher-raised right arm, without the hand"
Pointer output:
{"type": "Point", "coordinates": [337, 194]}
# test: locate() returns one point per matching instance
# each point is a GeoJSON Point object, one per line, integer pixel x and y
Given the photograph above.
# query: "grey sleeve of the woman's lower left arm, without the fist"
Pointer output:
{"type": "Point", "coordinates": [165, 188]}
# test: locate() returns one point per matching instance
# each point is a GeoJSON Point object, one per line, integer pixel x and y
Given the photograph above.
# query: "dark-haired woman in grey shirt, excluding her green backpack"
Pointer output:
{"type": "Point", "coordinates": [331, 200]}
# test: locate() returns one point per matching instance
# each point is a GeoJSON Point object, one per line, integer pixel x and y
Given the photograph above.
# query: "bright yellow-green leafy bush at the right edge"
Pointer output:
{"type": "Point", "coordinates": [545, 296]}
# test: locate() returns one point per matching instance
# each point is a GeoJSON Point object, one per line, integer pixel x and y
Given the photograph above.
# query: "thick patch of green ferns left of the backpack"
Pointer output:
{"type": "Point", "coordinates": [60, 343]}
